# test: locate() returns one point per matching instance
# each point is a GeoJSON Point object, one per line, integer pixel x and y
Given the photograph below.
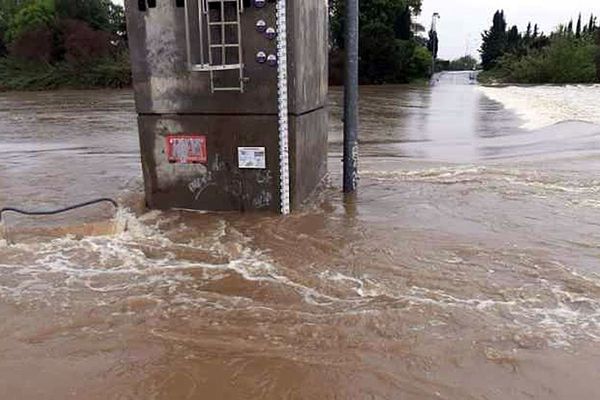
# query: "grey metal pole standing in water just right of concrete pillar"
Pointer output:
{"type": "Point", "coordinates": [351, 98]}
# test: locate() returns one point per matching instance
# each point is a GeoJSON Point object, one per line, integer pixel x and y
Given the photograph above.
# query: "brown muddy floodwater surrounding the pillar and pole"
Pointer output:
{"type": "Point", "coordinates": [466, 268]}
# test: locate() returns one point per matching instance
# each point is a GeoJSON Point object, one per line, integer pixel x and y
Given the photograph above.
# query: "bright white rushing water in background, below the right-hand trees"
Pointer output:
{"type": "Point", "coordinates": [541, 106]}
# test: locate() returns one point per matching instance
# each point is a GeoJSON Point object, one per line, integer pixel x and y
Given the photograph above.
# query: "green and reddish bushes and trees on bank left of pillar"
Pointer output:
{"type": "Point", "coordinates": [62, 44]}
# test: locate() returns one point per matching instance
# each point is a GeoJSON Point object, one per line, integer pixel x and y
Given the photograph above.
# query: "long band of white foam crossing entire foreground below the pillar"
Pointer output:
{"type": "Point", "coordinates": [117, 266]}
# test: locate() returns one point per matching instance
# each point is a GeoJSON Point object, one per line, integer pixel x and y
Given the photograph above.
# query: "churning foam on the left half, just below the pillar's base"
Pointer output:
{"type": "Point", "coordinates": [119, 264]}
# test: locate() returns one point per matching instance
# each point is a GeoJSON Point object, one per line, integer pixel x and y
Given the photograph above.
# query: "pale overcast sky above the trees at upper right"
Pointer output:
{"type": "Point", "coordinates": [462, 21]}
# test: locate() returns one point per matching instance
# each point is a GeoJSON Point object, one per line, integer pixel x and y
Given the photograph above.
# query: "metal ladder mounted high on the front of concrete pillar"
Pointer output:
{"type": "Point", "coordinates": [219, 22]}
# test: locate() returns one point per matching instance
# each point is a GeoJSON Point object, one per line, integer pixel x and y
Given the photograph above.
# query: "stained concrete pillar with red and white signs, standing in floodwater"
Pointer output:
{"type": "Point", "coordinates": [208, 129]}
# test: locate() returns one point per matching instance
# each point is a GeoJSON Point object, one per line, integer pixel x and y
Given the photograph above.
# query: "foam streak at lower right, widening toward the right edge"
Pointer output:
{"type": "Point", "coordinates": [559, 317]}
